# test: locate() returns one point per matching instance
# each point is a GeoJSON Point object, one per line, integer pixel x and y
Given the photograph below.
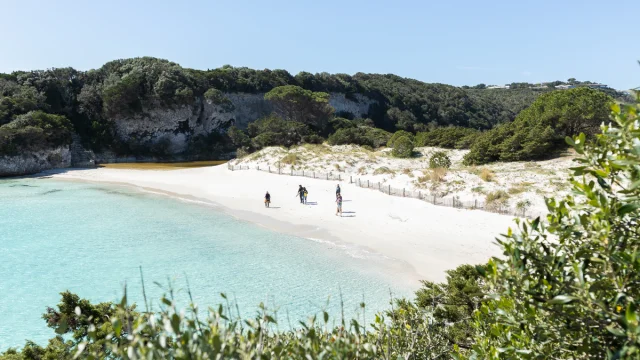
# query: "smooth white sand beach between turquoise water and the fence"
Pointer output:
{"type": "Point", "coordinates": [422, 239]}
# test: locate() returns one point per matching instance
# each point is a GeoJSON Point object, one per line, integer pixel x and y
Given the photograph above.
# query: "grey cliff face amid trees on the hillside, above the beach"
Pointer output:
{"type": "Point", "coordinates": [176, 126]}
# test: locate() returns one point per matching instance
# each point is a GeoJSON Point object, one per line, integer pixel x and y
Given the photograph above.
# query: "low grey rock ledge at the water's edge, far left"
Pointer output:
{"type": "Point", "coordinates": [31, 163]}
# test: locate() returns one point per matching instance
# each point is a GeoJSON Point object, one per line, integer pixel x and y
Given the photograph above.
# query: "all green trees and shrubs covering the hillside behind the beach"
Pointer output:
{"type": "Point", "coordinates": [440, 115]}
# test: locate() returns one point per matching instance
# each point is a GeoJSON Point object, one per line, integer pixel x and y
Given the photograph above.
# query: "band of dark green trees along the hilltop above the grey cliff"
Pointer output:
{"type": "Point", "coordinates": [90, 100]}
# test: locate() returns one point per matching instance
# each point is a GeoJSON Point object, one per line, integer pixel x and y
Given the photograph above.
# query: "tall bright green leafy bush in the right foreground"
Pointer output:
{"type": "Point", "coordinates": [569, 288]}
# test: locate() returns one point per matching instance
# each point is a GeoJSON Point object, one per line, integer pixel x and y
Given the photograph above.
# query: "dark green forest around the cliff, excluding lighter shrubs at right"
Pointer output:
{"type": "Point", "coordinates": [87, 103]}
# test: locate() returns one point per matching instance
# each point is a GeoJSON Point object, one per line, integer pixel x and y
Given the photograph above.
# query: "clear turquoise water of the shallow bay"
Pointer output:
{"type": "Point", "coordinates": [91, 239]}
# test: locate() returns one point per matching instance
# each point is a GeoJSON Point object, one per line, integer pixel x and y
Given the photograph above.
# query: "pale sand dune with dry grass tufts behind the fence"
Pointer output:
{"type": "Point", "coordinates": [530, 181]}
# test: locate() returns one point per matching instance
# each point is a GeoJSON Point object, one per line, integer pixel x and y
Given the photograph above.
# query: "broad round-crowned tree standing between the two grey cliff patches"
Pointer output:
{"type": "Point", "coordinates": [294, 103]}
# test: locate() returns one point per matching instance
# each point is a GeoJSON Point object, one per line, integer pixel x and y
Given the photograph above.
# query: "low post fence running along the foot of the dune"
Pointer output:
{"type": "Point", "coordinates": [450, 201]}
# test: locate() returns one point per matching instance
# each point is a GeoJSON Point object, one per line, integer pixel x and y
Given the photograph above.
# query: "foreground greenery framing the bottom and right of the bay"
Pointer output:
{"type": "Point", "coordinates": [565, 287]}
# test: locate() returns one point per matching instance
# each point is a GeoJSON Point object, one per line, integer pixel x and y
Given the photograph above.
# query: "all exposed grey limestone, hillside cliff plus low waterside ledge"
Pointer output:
{"type": "Point", "coordinates": [173, 127]}
